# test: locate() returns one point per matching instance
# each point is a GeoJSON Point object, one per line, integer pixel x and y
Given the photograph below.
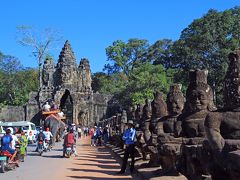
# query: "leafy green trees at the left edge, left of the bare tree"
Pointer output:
{"type": "Point", "coordinates": [15, 81]}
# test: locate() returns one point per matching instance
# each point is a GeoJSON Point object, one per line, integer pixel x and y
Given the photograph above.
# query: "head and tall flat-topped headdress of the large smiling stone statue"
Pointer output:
{"type": "Point", "coordinates": [199, 94]}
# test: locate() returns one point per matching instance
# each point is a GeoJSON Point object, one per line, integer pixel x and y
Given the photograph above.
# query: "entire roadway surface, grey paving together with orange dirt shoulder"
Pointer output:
{"type": "Point", "coordinates": [92, 163]}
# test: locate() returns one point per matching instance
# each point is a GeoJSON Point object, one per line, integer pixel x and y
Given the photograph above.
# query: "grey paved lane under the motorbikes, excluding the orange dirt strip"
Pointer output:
{"type": "Point", "coordinates": [36, 167]}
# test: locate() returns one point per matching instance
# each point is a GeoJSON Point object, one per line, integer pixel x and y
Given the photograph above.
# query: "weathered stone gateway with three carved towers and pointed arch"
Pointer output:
{"type": "Point", "coordinates": [69, 86]}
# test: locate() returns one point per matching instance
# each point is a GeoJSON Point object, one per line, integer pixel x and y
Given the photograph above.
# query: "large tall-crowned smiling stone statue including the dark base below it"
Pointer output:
{"type": "Point", "coordinates": [199, 102]}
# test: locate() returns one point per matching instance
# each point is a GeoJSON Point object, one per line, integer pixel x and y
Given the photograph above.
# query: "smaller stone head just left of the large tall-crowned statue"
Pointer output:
{"type": "Point", "coordinates": [175, 100]}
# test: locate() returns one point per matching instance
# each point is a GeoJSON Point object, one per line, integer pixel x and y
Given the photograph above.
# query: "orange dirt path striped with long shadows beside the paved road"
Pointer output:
{"type": "Point", "coordinates": [92, 163]}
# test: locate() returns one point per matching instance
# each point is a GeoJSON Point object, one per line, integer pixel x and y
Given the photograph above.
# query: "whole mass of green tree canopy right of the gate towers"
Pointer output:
{"type": "Point", "coordinates": [204, 44]}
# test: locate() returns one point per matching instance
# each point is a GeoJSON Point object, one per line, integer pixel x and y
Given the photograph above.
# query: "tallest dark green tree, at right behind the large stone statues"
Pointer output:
{"type": "Point", "coordinates": [206, 43]}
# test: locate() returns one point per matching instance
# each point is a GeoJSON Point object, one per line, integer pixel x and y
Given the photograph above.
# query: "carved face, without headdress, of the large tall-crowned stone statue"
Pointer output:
{"type": "Point", "coordinates": [198, 100]}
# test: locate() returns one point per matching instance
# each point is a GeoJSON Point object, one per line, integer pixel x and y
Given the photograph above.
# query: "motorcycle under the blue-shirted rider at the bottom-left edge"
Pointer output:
{"type": "Point", "coordinates": [5, 163]}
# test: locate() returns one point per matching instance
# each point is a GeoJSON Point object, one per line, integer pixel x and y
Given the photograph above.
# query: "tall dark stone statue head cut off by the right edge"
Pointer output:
{"type": "Point", "coordinates": [232, 82]}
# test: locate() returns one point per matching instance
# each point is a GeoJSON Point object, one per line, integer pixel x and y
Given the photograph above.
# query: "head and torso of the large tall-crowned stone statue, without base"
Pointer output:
{"type": "Point", "coordinates": [199, 101]}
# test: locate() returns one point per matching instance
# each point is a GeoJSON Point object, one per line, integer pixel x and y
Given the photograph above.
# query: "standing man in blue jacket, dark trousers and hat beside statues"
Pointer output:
{"type": "Point", "coordinates": [129, 140]}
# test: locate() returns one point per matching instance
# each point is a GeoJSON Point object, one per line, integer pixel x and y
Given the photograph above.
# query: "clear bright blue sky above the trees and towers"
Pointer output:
{"type": "Point", "coordinates": [92, 25]}
